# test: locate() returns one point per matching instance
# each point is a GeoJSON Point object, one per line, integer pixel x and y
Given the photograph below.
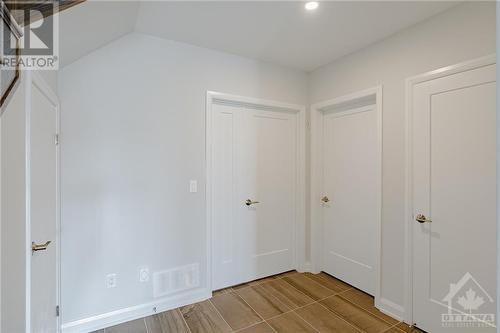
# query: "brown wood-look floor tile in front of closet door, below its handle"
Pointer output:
{"type": "Point", "coordinates": [265, 304]}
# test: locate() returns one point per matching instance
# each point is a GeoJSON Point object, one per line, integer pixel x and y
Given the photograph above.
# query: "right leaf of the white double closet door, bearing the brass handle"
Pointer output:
{"type": "Point", "coordinates": [267, 174]}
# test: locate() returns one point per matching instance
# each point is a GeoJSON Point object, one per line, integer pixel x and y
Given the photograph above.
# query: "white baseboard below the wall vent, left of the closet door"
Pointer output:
{"type": "Point", "coordinates": [134, 312]}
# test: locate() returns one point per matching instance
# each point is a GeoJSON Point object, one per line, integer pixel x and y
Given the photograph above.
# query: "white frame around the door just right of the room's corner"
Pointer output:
{"type": "Point", "coordinates": [372, 96]}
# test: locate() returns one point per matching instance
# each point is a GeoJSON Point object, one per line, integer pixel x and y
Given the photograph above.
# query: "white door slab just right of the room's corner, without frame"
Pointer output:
{"type": "Point", "coordinates": [350, 204]}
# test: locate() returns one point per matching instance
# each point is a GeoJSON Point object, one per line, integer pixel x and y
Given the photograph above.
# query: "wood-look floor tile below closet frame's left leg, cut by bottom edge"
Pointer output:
{"type": "Point", "coordinates": [203, 318]}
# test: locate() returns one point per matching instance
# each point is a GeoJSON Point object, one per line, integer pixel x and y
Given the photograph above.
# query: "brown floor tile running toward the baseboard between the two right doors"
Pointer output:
{"type": "Point", "coordinates": [355, 315]}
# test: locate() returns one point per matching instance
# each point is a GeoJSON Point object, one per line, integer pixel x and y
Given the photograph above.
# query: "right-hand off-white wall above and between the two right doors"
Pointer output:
{"type": "Point", "coordinates": [465, 32]}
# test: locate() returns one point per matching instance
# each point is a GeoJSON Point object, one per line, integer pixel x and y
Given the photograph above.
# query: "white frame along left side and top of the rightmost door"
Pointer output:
{"type": "Point", "coordinates": [410, 83]}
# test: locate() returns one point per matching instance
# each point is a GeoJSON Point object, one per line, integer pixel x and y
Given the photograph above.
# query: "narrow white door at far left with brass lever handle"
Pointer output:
{"type": "Point", "coordinates": [43, 210]}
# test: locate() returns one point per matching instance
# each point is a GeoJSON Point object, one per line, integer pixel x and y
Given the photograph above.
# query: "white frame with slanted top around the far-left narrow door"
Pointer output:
{"type": "Point", "coordinates": [34, 79]}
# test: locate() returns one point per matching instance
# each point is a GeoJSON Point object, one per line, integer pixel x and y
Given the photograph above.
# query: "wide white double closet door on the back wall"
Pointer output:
{"type": "Point", "coordinates": [253, 193]}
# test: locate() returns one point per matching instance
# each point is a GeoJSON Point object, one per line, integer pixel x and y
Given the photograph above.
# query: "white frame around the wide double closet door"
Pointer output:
{"type": "Point", "coordinates": [249, 102]}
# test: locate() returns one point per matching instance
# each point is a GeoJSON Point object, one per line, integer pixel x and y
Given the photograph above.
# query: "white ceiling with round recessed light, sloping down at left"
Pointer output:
{"type": "Point", "coordinates": [281, 32]}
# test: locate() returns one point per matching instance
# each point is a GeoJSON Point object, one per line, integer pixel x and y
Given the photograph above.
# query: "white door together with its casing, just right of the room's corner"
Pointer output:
{"type": "Point", "coordinates": [346, 147]}
